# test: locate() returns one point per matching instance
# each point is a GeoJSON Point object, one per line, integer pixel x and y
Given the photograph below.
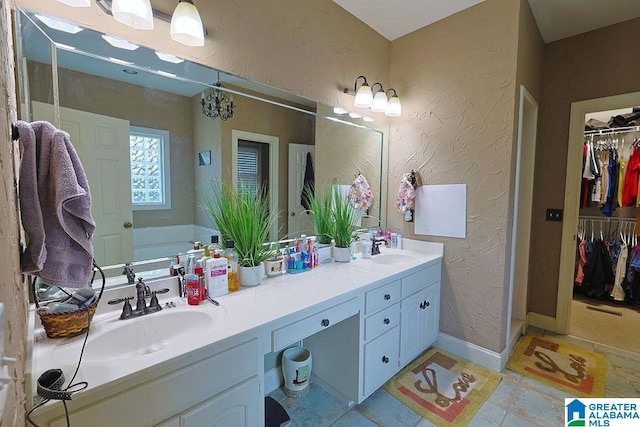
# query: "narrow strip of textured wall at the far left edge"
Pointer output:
{"type": "Point", "coordinates": [12, 292]}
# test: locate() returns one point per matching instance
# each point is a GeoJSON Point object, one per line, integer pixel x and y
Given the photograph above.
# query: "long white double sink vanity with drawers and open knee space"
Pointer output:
{"type": "Point", "coordinates": [204, 365]}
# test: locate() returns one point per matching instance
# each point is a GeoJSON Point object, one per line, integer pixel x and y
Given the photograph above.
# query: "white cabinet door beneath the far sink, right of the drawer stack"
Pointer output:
{"type": "Point", "coordinates": [420, 322]}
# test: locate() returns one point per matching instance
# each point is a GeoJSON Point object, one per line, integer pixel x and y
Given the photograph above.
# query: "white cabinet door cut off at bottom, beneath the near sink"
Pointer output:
{"type": "Point", "coordinates": [236, 407]}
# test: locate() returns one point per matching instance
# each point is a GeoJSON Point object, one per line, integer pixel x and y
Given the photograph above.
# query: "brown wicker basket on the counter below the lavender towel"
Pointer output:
{"type": "Point", "coordinates": [68, 323]}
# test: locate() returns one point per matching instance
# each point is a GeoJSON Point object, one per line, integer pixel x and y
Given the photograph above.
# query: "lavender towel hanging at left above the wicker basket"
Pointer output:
{"type": "Point", "coordinates": [55, 207]}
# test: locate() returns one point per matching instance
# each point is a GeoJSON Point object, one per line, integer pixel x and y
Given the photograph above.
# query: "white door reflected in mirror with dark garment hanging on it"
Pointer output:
{"type": "Point", "coordinates": [298, 221]}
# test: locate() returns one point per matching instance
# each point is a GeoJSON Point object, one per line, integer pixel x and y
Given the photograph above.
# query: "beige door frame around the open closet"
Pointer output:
{"type": "Point", "coordinates": [571, 204]}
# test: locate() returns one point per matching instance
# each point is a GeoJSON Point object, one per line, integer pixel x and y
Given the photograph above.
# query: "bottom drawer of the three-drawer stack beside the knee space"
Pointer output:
{"type": "Point", "coordinates": [381, 360]}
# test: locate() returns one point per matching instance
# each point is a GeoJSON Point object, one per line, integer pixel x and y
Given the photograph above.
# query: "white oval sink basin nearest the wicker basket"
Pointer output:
{"type": "Point", "coordinates": [140, 336]}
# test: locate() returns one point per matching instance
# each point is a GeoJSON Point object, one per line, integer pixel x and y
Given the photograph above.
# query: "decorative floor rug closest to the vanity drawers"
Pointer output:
{"type": "Point", "coordinates": [442, 388]}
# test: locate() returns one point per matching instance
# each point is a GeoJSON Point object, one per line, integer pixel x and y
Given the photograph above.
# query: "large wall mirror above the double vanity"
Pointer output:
{"type": "Point", "coordinates": [135, 116]}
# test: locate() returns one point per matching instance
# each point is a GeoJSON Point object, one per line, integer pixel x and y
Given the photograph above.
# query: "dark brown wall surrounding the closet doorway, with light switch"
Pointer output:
{"type": "Point", "coordinates": [587, 66]}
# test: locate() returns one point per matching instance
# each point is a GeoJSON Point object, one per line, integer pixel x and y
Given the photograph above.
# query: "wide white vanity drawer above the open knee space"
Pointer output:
{"type": "Point", "coordinates": [308, 326]}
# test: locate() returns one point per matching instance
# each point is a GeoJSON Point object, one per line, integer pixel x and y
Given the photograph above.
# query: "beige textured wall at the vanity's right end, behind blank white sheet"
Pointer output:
{"type": "Point", "coordinates": [457, 82]}
